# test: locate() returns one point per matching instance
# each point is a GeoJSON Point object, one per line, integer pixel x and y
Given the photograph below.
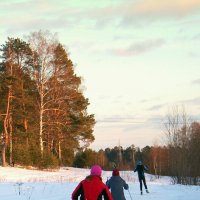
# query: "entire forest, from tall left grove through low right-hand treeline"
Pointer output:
{"type": "Point", "coordinates": [44, 120]}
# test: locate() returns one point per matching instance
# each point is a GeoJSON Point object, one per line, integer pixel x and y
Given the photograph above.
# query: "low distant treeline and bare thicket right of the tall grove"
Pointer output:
{"type": "Point", "coordinates": [180, 158]}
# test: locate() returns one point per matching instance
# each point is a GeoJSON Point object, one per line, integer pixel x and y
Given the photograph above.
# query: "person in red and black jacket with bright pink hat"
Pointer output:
{"type": "Point", "coordinates": [92, 187]}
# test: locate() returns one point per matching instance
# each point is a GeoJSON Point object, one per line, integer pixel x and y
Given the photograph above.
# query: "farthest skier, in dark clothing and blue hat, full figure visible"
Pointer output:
{"type": "Point", "coordinates": [140, 168]}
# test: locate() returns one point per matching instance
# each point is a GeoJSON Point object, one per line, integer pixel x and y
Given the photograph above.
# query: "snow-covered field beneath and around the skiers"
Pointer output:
{"type": "Point", "coordinates": [22, 184]}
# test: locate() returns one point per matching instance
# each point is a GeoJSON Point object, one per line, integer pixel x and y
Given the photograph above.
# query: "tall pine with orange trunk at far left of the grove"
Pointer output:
{"type": "Point", "coordinates": [14, 73]}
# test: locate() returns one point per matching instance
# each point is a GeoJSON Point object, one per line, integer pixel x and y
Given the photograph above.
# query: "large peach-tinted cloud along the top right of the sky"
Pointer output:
{"type": "Point", "coordinates": [130, 11]}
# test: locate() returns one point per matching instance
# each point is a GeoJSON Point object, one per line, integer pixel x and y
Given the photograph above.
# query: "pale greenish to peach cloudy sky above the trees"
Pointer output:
{"type": "Point", "coordinates": [137, 58]}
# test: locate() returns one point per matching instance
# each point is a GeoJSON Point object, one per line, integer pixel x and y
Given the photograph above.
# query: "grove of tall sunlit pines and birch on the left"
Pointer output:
{"type": "Point", "coordinates": [43, 112]}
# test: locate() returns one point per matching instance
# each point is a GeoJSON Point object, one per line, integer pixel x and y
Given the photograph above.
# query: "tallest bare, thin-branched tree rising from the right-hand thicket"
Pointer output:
{"type": "Point", "coordinates": [177, 130]}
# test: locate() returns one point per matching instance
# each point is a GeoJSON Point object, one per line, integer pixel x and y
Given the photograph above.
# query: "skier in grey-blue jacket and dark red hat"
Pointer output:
{"type": "Point", "coordinates": [117, 186]}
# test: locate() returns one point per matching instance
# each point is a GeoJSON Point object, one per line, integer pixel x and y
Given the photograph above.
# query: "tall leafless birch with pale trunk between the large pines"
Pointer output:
{"type": "Point", "coordinates": [43, 45]}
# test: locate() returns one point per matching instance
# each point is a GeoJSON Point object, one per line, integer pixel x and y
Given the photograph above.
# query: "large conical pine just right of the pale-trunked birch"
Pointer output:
{"type": "Point", "coordinates": [71, 123]}
